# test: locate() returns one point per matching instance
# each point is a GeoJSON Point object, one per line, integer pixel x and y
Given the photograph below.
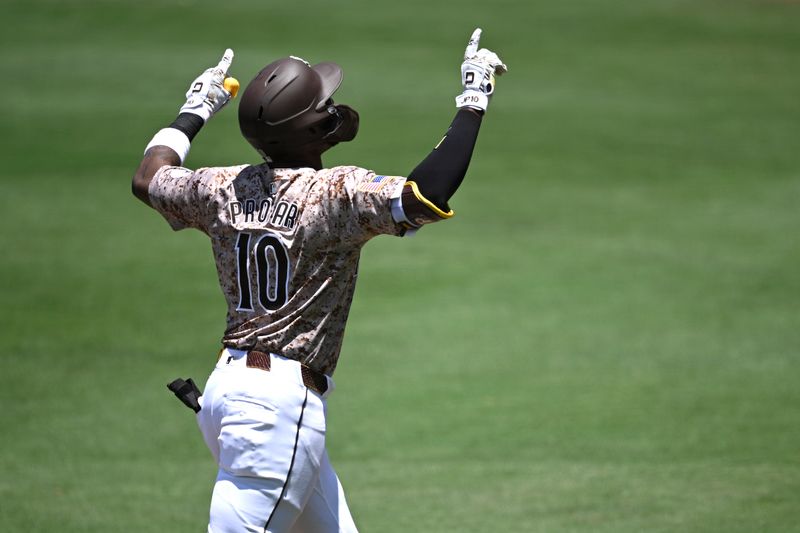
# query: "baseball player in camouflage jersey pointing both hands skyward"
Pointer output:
{"type": "Point", "coordinates": [286, 236]}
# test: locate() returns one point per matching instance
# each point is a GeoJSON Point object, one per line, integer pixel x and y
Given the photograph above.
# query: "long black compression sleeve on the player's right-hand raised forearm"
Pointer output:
{"type": "Point", "coordinates": [439, 175]}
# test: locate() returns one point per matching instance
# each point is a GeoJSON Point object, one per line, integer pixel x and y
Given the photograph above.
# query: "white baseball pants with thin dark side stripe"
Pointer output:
{"type": "Point", "coordinates": [266, 431]}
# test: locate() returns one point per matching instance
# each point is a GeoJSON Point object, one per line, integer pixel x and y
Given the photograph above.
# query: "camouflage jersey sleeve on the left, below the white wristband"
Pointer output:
{"type": "Point", "coordinates": [184, 197]}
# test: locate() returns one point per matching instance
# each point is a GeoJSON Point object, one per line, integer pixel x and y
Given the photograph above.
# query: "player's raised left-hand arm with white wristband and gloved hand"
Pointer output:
{"type": "Point", "coordinates": [207, 94]}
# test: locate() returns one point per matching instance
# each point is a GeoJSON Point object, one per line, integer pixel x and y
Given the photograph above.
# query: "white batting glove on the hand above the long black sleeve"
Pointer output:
{"type": "Point", "coordinates": [477, 74]}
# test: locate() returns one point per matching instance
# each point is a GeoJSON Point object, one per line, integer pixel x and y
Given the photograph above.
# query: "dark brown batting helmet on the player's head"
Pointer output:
{"type": "Point", "coordinates": [287, 113]}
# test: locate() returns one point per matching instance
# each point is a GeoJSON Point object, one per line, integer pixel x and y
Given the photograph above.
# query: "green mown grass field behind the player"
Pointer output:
{"type": "Point", "coordinates": [606, 338]}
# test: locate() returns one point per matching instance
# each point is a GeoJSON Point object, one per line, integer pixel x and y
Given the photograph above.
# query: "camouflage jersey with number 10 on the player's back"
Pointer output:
{"type": "Point", "coordinates": [286, 248]}
